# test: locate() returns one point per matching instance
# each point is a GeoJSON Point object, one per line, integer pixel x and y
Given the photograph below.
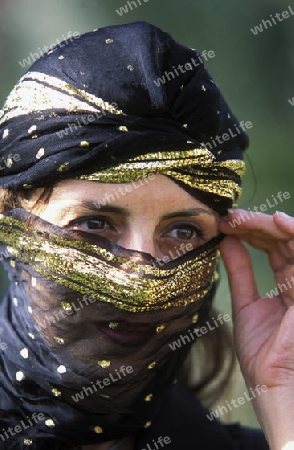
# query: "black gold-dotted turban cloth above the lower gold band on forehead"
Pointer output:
{"type": "Point", "coordinates": [94, 103]}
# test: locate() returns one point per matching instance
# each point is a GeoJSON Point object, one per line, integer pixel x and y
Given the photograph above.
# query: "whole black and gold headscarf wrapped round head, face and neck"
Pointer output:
{"type": "Point", "coordinates": [91, 110]}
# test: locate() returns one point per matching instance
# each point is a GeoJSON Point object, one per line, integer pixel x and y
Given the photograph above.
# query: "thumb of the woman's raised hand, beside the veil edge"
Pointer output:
{"type": "Point", "coordinates": [240, 273]}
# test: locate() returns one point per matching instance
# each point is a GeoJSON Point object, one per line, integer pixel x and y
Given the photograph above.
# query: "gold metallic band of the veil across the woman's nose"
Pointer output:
{"type": "Point", "coordinates": [129, 280]}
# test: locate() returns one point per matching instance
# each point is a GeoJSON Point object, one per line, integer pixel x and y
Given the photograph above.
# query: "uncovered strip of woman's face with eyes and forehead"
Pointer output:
{"type": "Point", "coordinates": [153, 215]}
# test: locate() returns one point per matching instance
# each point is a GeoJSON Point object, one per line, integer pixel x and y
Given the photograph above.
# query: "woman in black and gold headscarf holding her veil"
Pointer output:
{"type": "Point", "coordinates": [113, 213]}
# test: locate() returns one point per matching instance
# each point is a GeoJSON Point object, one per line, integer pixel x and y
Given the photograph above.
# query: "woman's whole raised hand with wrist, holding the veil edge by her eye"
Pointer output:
{"type": "Point", "coordinates": [263, 326]}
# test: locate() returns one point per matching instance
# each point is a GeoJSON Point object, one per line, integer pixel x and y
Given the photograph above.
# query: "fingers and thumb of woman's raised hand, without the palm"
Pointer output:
{"type": "Point", "coordinates": [272, 234]}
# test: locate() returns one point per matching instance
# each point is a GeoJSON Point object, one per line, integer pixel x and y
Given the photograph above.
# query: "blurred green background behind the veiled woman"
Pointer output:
{"type": "Point", "coordinates": [254, 72]}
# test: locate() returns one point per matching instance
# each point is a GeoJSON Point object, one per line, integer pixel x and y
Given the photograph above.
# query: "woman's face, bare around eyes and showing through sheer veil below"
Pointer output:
{"type": "Point", "coordinates": [154, 216]}
